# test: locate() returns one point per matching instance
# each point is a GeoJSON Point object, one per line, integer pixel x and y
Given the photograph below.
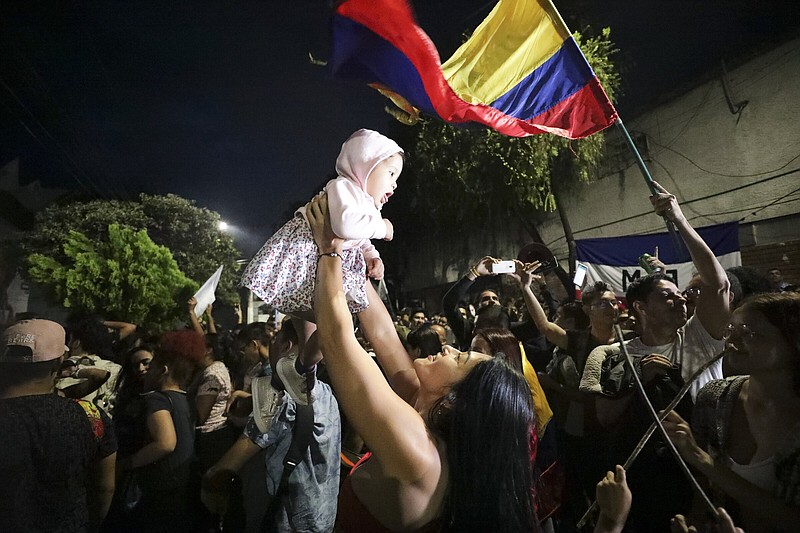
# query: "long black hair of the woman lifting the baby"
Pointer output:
{"type": "Point", "coordinates": [486, 421]}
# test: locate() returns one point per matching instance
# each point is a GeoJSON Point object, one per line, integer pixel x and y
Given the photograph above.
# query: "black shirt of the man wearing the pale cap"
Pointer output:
{"type": "Point", "coordinates": [47, 446]}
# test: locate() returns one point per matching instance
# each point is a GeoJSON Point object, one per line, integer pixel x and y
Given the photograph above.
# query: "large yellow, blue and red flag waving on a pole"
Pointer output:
{"type": "Point", "coordinates": [521, 72]}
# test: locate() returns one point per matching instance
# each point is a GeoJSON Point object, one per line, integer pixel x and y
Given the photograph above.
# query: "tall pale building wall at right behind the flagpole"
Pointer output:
{"type": "Point", "coordinates": [722, 166]}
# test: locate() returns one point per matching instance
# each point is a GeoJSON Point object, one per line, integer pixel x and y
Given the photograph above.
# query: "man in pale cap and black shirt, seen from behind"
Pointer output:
{"type": "Point", "coordinates": [57, 464]}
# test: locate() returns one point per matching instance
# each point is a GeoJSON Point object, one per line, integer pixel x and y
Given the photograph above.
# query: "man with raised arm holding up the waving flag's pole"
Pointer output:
{"type": "Point", "coordinates": [672, 347]}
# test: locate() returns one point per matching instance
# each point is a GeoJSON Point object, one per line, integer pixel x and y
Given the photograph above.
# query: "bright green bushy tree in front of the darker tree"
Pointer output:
{"type": "Point", "coordinates": [124, 275]}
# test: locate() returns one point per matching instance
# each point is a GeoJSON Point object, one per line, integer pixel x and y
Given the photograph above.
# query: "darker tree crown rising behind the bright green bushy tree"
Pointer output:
{"type": "Point", "coordinates": [191, 233]}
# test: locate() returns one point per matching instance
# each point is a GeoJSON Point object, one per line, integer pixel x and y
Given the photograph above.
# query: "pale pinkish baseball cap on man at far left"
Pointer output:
{"type": "Point", "coordinates": [33, 341]}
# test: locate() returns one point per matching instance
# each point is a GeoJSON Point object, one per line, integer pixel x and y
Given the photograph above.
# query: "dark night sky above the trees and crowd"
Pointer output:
{"type": "Point", "coordinates": [216, 100]}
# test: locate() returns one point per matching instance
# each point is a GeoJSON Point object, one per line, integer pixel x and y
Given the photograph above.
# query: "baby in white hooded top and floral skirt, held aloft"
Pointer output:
{"type": "Point", "coordinates": [283, 272]}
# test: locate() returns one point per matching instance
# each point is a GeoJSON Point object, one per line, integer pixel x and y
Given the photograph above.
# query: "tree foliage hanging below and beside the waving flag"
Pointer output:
{"type": "Point", "coordinates": [485, 176]}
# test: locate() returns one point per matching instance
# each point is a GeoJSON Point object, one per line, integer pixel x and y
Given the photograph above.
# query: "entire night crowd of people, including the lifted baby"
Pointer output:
{"type": "Point", "coordinates": [502, 412]}
